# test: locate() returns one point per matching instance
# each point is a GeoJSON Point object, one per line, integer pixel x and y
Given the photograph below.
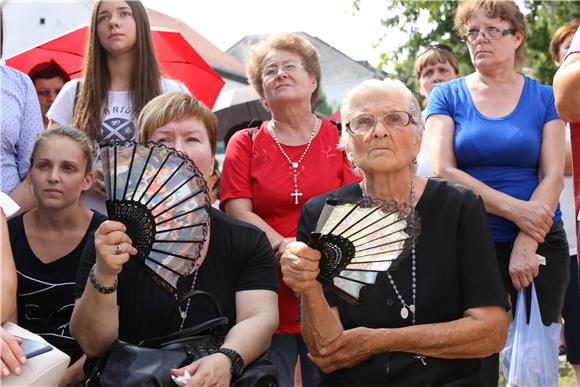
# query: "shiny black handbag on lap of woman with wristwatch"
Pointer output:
{"type": "Point", "coordinates": [150, 362]}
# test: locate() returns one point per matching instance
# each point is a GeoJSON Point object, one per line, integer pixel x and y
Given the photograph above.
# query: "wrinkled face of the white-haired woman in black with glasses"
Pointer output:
{"type": "Point", "coordinates": [391, 146]}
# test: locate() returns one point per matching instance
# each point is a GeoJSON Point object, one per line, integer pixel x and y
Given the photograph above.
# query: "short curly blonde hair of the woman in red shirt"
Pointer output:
{"type": "Point", "coordinates": [287, 42]}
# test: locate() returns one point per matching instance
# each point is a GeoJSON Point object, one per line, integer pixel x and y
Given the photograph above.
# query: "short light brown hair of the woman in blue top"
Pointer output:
{"type": "Point", "coordinates": [506, 10]}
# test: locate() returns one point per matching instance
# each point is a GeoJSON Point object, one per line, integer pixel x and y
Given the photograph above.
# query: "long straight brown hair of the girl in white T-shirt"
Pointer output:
{"type": "Point", "coordinates": [145, 80]}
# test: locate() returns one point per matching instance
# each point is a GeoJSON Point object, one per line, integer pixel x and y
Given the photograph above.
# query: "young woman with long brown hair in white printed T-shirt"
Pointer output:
{"type": "Point", "coordinates": [121, 75]}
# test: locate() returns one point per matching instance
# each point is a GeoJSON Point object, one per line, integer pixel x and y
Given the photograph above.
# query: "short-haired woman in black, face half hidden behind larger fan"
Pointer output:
{"type": "Point", "coordinates": [236, 264]}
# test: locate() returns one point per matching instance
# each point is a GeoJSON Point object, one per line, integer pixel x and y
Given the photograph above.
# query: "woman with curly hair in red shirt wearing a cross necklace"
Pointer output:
{"type": "Point", "coordinates": [270, 171]}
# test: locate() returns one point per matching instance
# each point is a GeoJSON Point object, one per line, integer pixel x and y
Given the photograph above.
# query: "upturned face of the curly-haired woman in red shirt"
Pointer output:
{"type": "Point", "coordinates": [284, 78]}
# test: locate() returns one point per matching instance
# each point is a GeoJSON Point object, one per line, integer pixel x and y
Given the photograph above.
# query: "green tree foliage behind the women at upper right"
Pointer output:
{"type": "Point", "coordinates": [430, 21]}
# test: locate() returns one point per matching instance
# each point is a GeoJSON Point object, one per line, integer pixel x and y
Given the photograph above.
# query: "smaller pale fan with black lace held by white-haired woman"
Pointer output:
{"type": "Point", "coordinates": [358, 240]}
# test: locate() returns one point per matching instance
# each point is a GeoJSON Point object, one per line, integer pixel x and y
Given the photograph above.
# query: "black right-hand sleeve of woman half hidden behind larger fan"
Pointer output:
{"type": "Point", "coordinates": [259, 270]}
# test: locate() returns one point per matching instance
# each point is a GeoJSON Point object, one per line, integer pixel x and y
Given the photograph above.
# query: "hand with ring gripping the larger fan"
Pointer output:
{"type": "Point", "coordinates": [109, 264]}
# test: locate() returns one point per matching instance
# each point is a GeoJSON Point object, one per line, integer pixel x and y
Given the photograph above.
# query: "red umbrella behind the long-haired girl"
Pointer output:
{"type": "Point", "coordinates": [177, 58]}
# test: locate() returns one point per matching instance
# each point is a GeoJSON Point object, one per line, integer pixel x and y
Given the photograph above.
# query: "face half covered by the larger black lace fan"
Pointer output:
{"type": "Point", "coordinates": [190, 137]}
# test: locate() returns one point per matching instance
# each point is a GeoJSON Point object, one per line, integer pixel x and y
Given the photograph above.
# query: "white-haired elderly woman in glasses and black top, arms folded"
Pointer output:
{"type": "Point", "coordinates": [441, 307]}
